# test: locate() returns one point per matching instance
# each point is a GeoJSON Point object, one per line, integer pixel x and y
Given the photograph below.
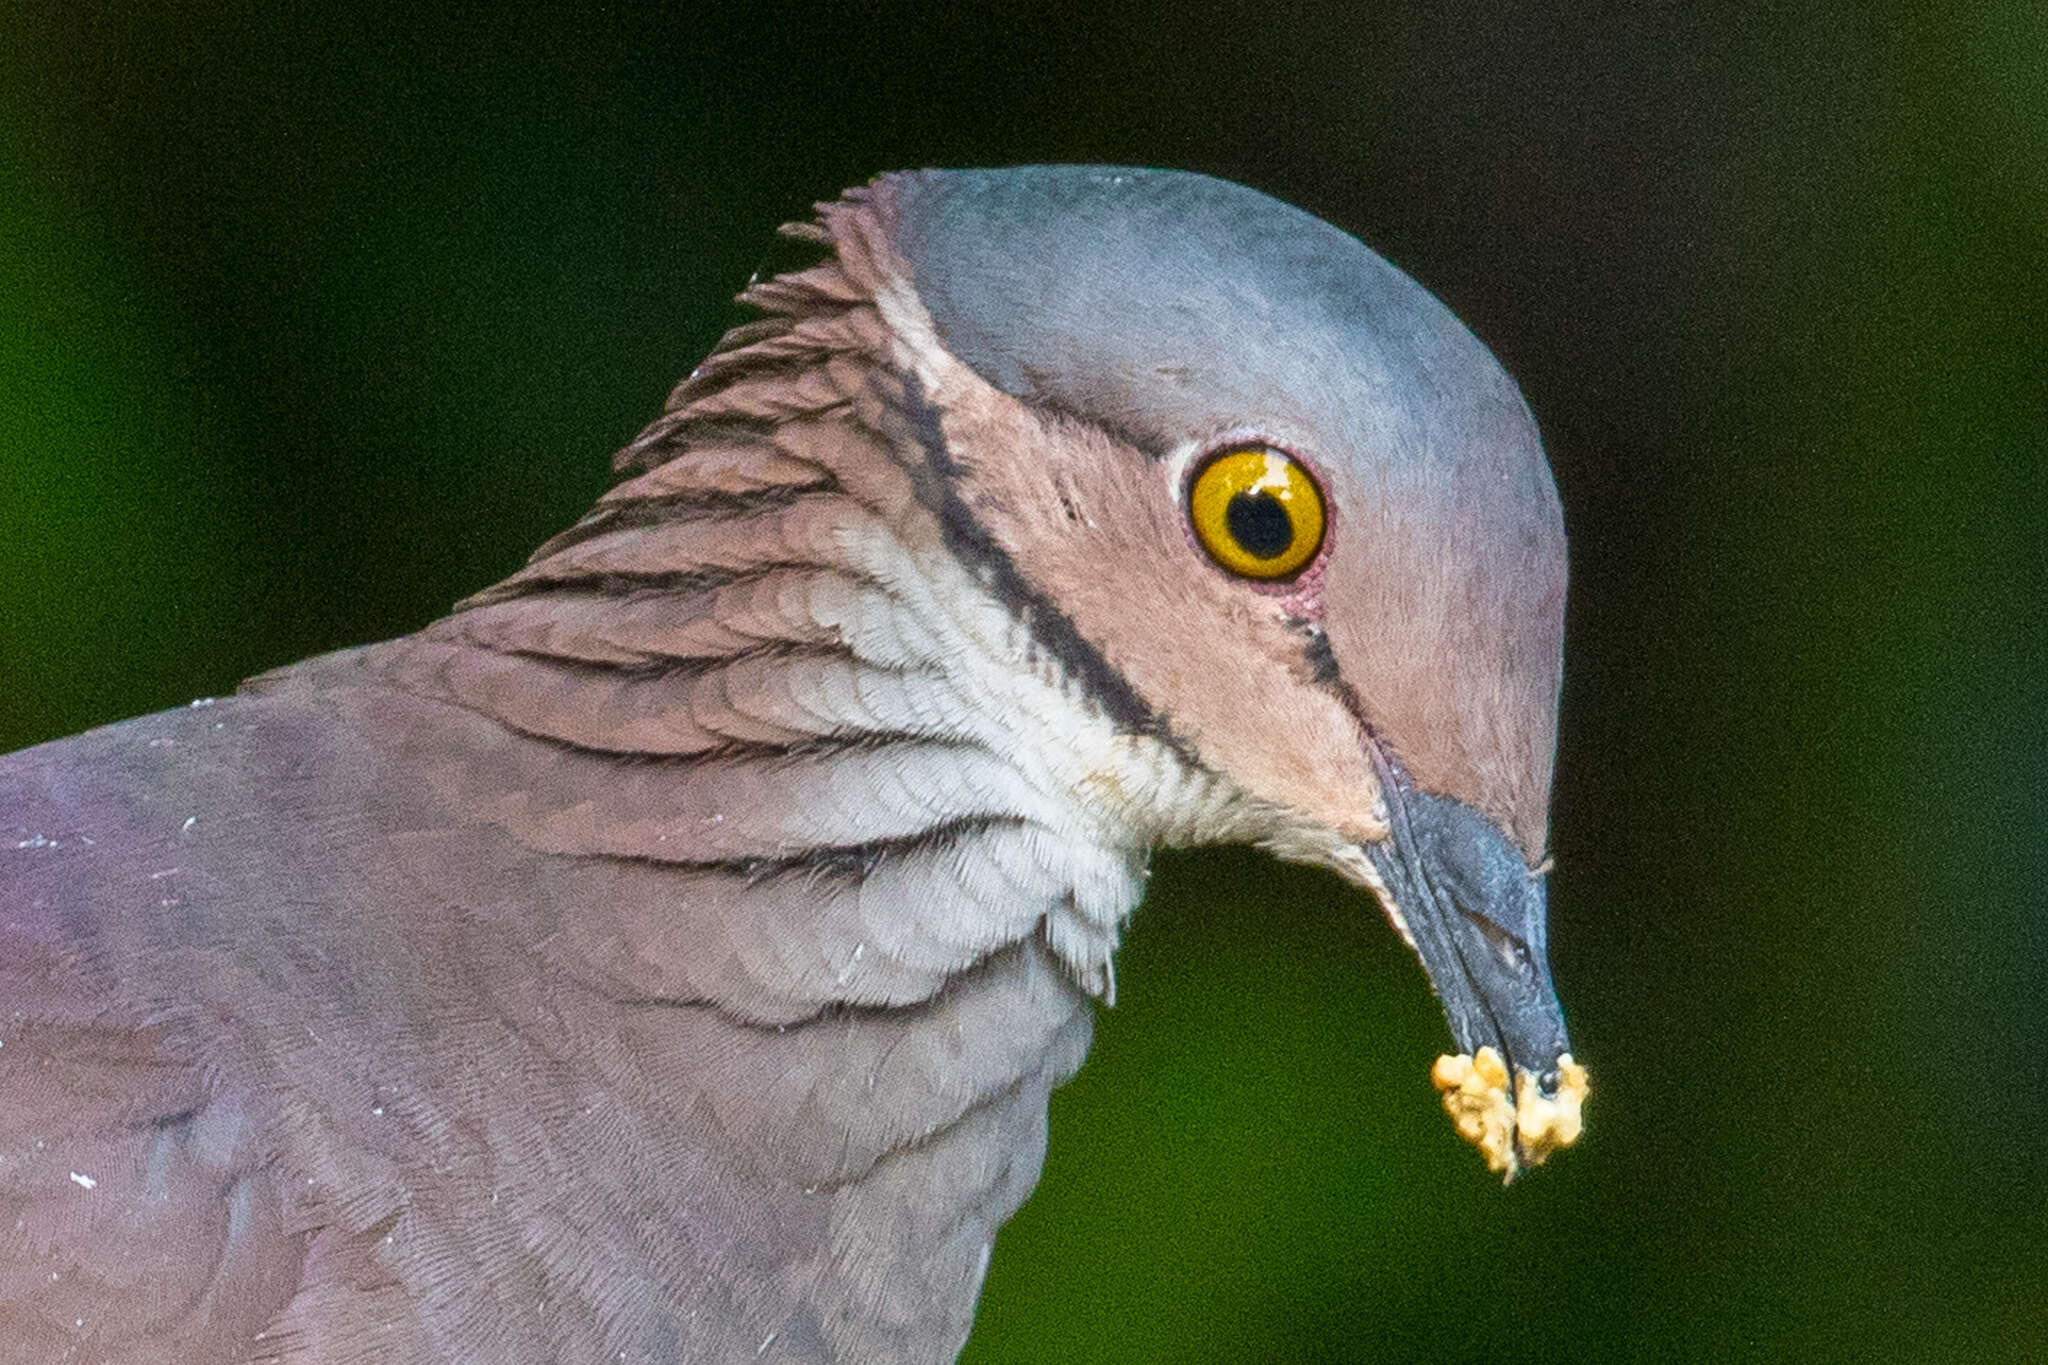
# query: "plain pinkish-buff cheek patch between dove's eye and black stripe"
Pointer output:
{"type": "Point", "coordinates": [1224, 666]}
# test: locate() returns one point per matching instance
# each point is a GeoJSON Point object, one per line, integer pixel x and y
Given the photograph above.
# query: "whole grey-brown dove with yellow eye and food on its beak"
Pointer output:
{"type": "Point", "coordinates": [669, 955]}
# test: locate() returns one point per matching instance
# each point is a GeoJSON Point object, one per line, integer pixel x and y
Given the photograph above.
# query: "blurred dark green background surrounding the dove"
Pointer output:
{"type": "Point", "coordinates": [312, 324]}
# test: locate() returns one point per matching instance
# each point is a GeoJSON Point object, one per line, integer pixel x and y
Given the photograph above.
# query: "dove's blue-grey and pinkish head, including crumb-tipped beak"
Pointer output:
{"type": "Point", "coordinates": [1297, 523]}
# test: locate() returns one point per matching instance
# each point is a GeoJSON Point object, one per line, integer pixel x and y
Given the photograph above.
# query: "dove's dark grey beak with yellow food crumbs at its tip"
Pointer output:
{"type": "Point", "coordinates": [1474, 912]}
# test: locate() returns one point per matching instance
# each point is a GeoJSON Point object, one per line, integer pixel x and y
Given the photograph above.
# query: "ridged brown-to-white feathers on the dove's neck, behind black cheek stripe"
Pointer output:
{"type": "Point", "coordinates": [761, 672]}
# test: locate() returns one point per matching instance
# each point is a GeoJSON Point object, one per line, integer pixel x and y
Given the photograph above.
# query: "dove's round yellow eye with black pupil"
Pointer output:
{"type": "Point", "coordinates": [1256, 513]}
